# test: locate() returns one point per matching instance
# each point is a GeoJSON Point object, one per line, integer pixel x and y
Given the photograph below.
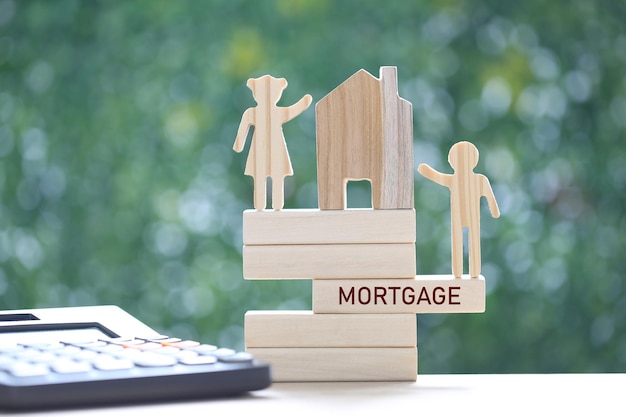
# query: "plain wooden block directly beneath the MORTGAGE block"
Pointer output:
{"type": "Point", "coordinates": [305, 329]}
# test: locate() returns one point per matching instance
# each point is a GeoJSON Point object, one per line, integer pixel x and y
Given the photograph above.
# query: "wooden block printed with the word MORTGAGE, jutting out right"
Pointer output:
{"type": "Point", "coordinates": [424, 294]}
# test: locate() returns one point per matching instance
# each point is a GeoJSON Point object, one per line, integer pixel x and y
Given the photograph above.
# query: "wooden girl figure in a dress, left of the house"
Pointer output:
{"type": "Point", "coordinates": [268, 156]}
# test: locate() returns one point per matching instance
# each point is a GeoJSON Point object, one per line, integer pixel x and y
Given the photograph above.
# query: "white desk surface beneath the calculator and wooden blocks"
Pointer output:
{"type": "Point", "coordinates": [430, 395]}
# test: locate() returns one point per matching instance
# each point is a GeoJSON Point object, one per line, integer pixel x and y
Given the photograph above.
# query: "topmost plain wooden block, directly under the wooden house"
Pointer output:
{"type": "Point", "coordinates": [311, 226]}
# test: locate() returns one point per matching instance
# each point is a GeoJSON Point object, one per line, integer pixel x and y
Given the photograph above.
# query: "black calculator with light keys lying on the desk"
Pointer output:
{"type": "Point", "coordinates": [82, 356]}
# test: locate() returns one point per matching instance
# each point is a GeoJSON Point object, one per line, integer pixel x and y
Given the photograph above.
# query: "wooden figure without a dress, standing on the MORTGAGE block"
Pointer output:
{"type": "Point", "coordinates": [466, 189]}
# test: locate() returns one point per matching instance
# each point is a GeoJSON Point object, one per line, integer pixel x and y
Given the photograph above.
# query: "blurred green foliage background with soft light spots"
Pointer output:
{"type": "Point", "coordinates": [119, 185]}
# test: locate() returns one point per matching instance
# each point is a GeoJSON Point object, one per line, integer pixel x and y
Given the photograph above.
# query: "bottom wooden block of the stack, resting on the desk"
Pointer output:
{"type": "Point", "coordinates": [340, 364]}
